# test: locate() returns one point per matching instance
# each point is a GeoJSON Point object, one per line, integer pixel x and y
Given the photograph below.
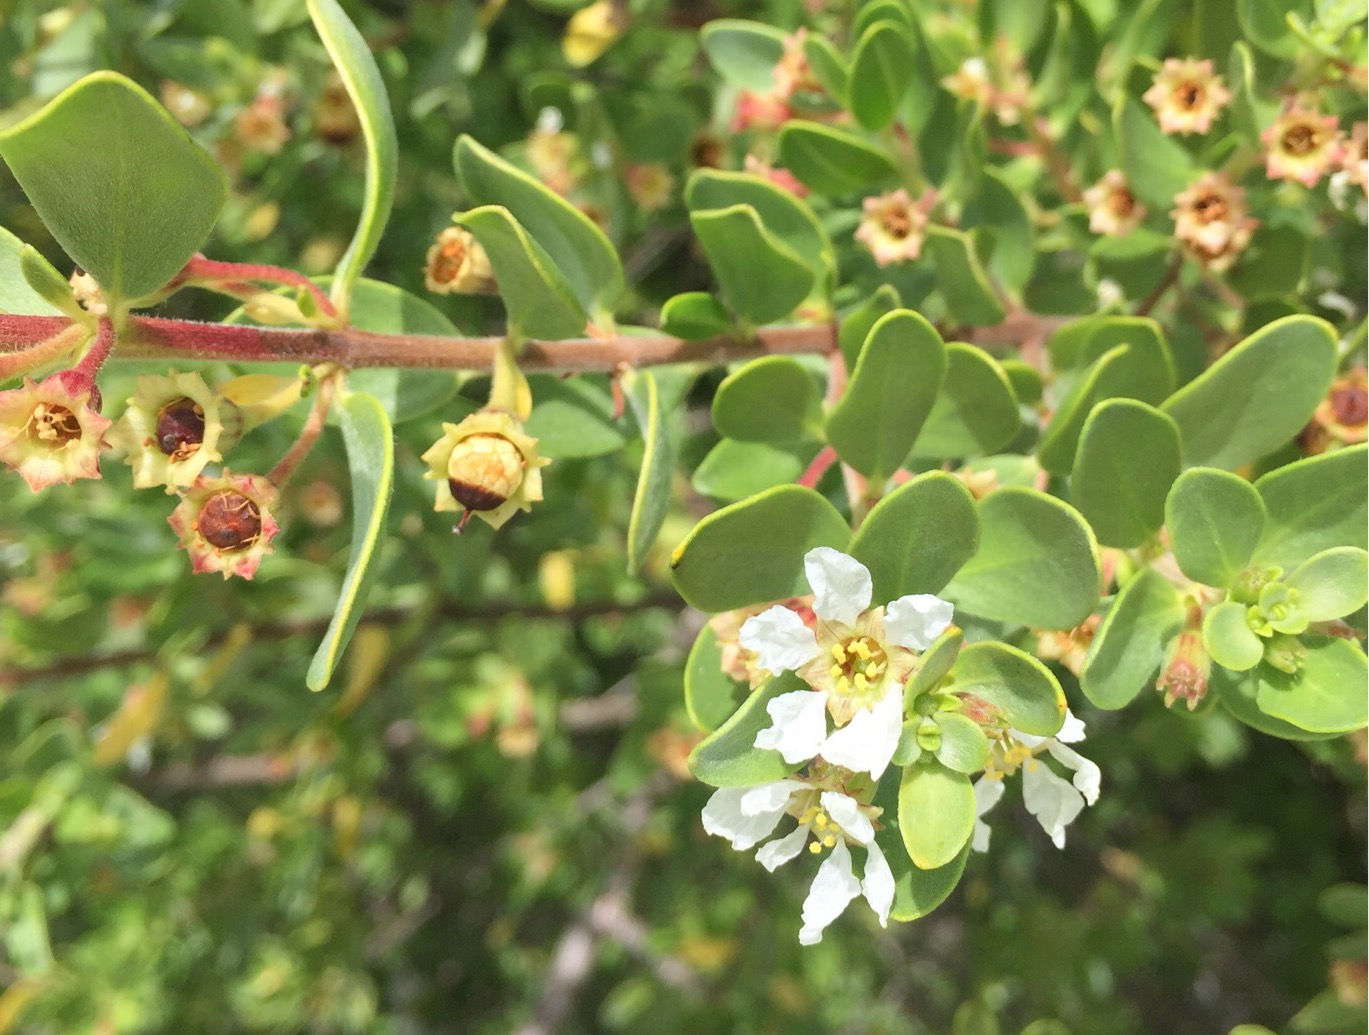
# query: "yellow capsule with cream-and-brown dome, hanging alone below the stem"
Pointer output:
{"type": "Point", "coordinates": [485, 466]}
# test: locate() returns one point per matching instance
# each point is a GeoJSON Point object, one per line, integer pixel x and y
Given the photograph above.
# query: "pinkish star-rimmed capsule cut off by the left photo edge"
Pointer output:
{"type": "Point", "coordinates": [51, 431]}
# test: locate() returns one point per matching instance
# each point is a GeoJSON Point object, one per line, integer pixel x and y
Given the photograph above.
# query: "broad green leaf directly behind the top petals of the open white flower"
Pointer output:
{"type": "Point", "coordinates": [918, 537]}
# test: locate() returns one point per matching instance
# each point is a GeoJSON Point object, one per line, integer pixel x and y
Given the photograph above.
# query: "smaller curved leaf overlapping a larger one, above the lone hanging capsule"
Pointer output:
{"type": "Point", "coordinates": [540, 302]}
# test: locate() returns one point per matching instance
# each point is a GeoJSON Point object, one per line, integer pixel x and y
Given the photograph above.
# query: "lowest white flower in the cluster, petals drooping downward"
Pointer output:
{"type": "Point", "coordinates": [750, 815]}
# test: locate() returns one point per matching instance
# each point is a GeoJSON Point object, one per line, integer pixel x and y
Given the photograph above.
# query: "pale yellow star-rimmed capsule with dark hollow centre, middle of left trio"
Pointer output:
{"type": "Point", "coordinates": [173, 428]}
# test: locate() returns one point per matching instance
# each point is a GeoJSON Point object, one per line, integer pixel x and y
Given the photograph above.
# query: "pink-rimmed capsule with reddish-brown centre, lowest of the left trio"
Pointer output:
{"type": "Point", "coordinates": [225, 524]}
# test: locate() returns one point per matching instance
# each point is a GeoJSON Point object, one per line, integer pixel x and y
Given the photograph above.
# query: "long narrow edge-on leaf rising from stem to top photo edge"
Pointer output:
{"type": "Point", "coordinates": [362, 79]}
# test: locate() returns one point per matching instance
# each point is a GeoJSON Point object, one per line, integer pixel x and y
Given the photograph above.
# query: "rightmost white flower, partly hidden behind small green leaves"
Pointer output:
{"type": "Point", "coordinates": [1053, 800]}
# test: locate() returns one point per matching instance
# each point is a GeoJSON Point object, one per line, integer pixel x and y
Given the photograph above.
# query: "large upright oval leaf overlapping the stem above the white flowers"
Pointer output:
{"type": "Point", "coordinates": [889, 396]}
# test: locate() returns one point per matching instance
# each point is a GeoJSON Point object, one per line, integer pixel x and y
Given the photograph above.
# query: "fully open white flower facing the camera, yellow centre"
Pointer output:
{"type": "Point", "coordinates": [856, 662]}
